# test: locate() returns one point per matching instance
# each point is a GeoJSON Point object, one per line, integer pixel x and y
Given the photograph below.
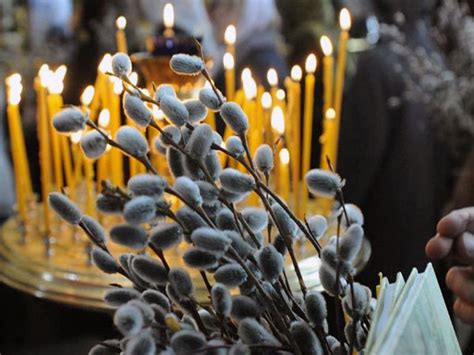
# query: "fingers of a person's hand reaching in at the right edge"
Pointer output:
{"type": "Point", "coordinates": [455, 238]}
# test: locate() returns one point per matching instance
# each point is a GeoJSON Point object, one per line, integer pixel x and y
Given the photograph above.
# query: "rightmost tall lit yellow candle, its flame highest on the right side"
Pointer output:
{"type": "Point", "coordinates": [345, 23]}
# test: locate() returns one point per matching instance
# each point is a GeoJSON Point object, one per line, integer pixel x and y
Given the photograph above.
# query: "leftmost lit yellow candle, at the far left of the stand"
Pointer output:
{"type": "Point", "coordinates": [17, 142]}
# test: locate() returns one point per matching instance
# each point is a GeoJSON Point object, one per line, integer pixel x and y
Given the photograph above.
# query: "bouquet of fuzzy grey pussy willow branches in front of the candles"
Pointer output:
{"type": "Point", "coordinates": [239, 252]}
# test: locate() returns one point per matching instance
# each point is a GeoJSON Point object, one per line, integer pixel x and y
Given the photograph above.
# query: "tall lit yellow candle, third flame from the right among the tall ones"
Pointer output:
{"type": "Point", "coordinates": [310, 67]}
